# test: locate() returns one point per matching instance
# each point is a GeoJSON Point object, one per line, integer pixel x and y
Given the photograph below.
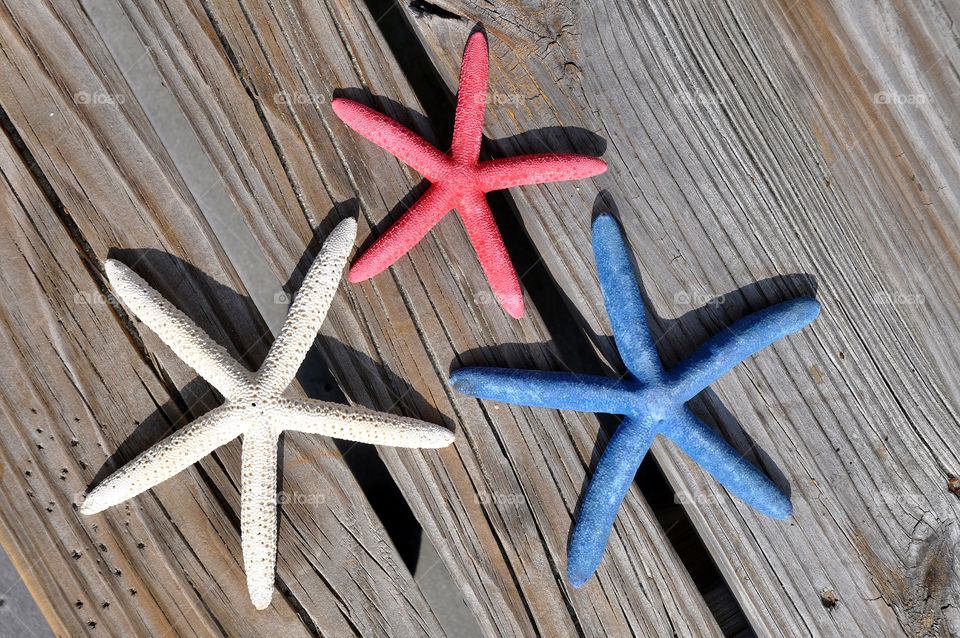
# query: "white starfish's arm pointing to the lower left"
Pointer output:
{"type": "Point", "coordinates": [166, 458]}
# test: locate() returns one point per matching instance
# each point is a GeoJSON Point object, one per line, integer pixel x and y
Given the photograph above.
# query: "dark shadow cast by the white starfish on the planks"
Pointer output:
{"type": "Point", "coordinates": [221, 311]}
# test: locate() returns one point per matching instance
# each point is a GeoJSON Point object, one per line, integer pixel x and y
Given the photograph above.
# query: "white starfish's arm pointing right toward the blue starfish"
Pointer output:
{"type": "Point", "coordinates": [359, 424]}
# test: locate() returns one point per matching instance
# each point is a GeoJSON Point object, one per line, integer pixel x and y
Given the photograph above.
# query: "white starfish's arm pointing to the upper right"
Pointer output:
{"type": "Point", "coordinates": [307, 312]}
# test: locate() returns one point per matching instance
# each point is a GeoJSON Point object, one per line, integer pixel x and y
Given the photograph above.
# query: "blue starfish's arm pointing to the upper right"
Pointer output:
{"type": "Point", "coordinates": [740, 340]}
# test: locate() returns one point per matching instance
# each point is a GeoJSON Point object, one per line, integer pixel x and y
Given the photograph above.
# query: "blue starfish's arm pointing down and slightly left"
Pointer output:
{"type": "Point", "coordinates": [609, 484]}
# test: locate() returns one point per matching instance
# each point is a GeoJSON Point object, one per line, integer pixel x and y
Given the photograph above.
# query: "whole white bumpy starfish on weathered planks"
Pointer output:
{"type": "Point", "coordinates": [253, 407]}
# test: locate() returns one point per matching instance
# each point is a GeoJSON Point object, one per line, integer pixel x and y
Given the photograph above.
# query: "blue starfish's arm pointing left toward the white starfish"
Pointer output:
{"type": "Point", "coordinates": [559, 390]}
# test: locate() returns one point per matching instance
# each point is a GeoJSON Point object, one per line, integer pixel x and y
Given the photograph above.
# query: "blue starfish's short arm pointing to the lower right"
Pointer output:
{"type": "Point", "coordinates": [727, 465]}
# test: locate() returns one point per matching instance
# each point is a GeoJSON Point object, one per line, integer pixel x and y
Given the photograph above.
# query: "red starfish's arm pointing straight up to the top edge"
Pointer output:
{"type": "Point", "coordinates": [471, 100]}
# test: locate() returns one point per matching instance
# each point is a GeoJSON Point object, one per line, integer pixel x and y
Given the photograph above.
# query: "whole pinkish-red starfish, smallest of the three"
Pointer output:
{"type": "Point", "coordinates": [458, 179]}
